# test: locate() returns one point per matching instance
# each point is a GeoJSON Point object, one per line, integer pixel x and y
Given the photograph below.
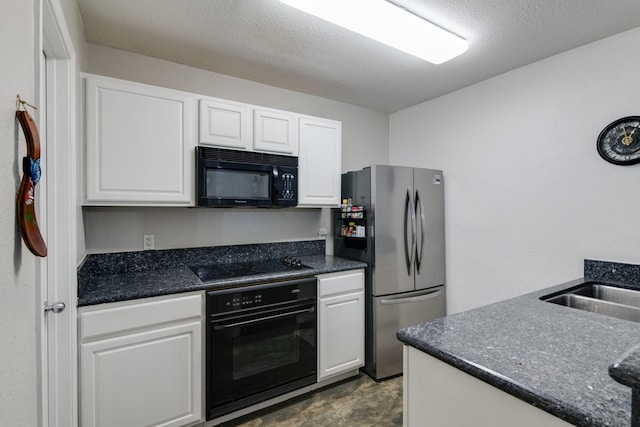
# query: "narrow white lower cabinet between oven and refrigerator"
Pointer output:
{"type": "Point", "coordinates": [340, 322]}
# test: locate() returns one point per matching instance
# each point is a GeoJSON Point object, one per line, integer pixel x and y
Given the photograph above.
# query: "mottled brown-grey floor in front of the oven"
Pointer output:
{"type": "Point", "coordinates": [357, 402]}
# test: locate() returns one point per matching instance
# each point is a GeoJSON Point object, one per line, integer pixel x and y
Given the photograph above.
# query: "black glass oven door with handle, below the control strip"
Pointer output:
{"type": "Point", "coordinates": [257, 355]}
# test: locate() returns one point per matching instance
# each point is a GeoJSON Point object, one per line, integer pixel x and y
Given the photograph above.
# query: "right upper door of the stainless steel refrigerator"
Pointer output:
{"type": "Point", "coordinates": [429, 205]}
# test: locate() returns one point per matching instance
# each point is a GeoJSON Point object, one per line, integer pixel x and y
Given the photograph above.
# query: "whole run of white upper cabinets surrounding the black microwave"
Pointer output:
{"type": "Point", "coordinates": [140, 143]}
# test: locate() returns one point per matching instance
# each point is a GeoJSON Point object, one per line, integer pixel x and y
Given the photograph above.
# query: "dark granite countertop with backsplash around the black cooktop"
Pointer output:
{"type": "Point", "coordinates": [132, 275]}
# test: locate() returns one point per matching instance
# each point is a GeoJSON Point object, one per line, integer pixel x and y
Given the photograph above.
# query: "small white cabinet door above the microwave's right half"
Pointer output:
{"type": "Point", "coordinates": [274, 131]}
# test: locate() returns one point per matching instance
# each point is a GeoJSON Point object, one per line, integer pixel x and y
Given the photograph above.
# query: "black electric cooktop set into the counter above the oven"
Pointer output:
{"type": "Point", "coordinates": [207, 273]}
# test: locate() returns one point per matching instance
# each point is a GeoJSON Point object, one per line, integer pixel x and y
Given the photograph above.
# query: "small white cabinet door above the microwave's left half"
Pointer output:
{"type": "Point", "coordinates": [225, 124]}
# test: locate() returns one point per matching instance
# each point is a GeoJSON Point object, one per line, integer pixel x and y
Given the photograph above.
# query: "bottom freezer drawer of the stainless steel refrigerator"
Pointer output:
{"type": "Point", "coordinates": [392, 313]}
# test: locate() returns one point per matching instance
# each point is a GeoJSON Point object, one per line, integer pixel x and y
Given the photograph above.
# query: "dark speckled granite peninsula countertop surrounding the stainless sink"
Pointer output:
{"type": "Point", "coordinates": [551, 356]}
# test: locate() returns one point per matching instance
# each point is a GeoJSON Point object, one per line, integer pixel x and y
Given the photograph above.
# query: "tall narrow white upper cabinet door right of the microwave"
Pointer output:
{"type": "Point", "coordinates": [319, 162]}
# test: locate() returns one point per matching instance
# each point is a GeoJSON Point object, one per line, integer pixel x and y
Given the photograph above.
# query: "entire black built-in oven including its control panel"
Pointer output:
{"type": "Point", "coordinates": [261, 343]}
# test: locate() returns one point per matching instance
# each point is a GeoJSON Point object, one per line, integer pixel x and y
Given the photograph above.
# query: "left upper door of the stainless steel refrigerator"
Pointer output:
{"type": "Point", "coordinates": [393, 217]}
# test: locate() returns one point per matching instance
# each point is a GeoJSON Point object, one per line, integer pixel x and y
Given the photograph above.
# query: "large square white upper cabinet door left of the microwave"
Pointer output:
{"type": "Point", "coordinates": [139, 147]}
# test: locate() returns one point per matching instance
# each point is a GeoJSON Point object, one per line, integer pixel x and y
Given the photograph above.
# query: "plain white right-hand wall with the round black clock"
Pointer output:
{"type": "Point", "coordinates": [527, 196]}
